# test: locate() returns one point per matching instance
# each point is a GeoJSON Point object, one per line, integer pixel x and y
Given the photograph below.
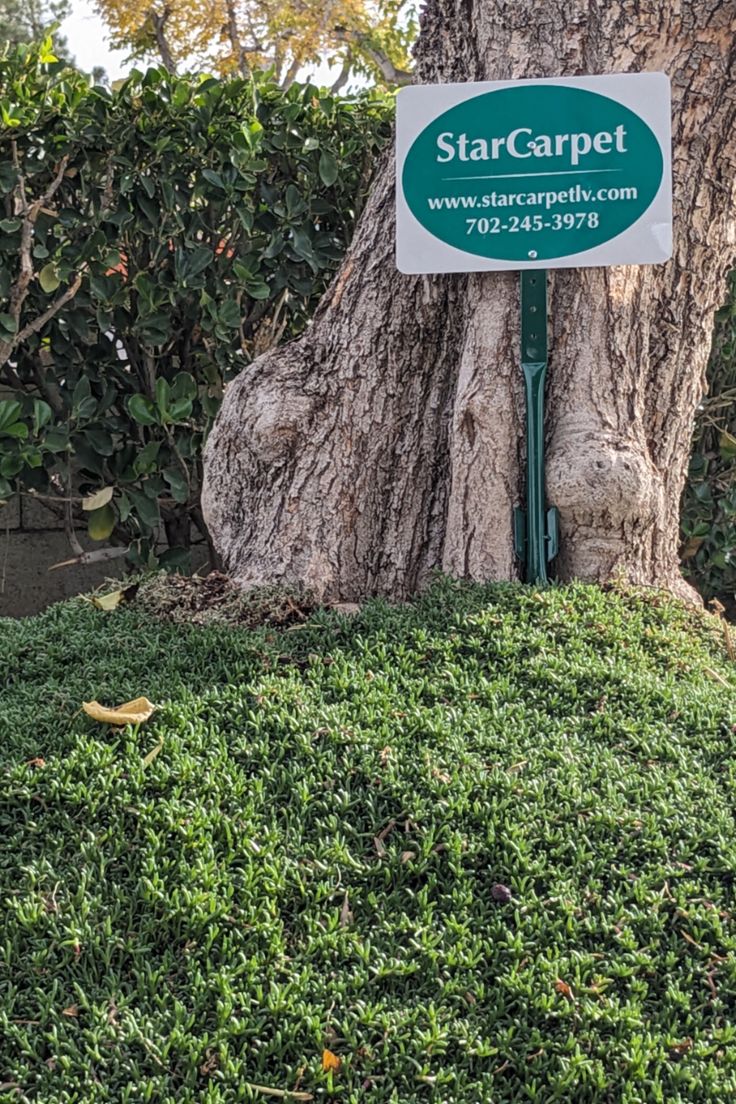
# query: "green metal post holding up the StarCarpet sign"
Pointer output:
{"type": "Point", "coordinates": [537, 529]}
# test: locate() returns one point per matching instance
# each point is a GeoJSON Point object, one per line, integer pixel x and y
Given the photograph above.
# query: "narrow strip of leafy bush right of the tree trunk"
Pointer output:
{"type": "Point", "coordinates": [709, 511]}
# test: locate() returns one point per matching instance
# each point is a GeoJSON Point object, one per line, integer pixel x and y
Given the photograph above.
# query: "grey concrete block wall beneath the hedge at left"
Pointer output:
{"type": "Point", "coordinates": [31, 540]}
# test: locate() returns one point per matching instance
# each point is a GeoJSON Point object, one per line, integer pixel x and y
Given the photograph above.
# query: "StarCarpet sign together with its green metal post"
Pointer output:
{"type": "Point", "coordinates": [535, 175]}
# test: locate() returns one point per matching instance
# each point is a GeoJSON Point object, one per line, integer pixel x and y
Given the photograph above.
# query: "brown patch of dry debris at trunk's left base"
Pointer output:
{"type": "Point", "coordinates": [214, 599]}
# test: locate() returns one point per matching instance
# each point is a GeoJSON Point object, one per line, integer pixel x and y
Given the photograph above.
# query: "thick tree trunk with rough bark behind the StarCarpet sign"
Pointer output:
{"type": "Point", "coordinates": [389, 440]}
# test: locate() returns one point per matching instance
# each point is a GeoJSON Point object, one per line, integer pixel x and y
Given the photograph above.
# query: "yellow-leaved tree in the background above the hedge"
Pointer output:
{"type": "Point", "coordinates": [369, 37]}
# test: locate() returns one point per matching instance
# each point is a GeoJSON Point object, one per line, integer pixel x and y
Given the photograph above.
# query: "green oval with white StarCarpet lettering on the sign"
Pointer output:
{"type": "Point", "coordinates": [532, 173]}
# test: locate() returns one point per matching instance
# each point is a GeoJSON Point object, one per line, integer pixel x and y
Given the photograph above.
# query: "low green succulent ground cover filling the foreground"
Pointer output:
{"type": "Point", "coordinates": [312, 861]}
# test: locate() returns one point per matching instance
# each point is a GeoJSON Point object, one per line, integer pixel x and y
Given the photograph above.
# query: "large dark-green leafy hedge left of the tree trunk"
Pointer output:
{"type": "Point", "coordinates": [154, 241]}
